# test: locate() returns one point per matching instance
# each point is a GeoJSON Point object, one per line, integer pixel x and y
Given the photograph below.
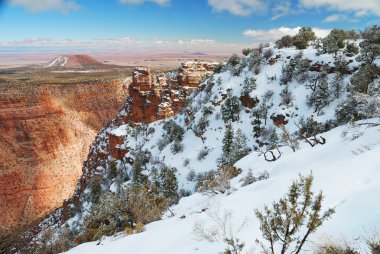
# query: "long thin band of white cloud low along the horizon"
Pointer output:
{"type": "Point", "coordinates": [126, 43]}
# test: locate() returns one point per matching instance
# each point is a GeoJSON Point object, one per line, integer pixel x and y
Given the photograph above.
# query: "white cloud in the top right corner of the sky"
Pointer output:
{"type": "Point", "coordinates": [360, 8]}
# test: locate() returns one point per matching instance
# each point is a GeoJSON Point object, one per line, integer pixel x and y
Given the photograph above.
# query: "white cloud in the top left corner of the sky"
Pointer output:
{"type": "Point", "coordinates": [64, 6]}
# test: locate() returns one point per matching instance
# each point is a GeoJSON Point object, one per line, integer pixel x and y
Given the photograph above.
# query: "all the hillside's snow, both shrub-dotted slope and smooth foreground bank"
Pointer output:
{"type": "Point", "coordinates": [345, 168]}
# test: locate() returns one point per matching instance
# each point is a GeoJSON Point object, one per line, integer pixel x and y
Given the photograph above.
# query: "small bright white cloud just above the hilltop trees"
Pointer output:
{"type": "Point", "coordinates": [277, 33]}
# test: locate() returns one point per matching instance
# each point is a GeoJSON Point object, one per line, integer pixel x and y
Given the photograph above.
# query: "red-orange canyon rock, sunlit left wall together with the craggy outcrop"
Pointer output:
{"type": "Point", "coordinates": [46, 132]}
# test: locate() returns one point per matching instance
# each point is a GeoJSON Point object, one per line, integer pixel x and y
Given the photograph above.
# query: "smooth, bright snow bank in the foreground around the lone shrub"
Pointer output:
{"type": "Point", "coordinates": [346, 170]}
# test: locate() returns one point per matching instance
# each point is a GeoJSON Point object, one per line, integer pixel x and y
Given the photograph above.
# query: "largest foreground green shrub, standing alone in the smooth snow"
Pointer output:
{"type": "Point", "coordinates": [287, 225]}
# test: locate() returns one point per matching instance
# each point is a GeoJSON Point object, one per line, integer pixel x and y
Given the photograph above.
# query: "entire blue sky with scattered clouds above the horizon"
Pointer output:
{"type": "Point", "coordinates": [172, 24]}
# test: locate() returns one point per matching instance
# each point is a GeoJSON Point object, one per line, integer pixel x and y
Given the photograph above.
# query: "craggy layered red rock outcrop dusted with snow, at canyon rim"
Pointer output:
{"type": "Point", "coordinates": [156, 97]}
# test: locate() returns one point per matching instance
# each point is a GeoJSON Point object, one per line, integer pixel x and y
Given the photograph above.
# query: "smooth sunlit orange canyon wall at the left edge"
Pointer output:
{"type": "Point", "coordinates": [45, 133]}
